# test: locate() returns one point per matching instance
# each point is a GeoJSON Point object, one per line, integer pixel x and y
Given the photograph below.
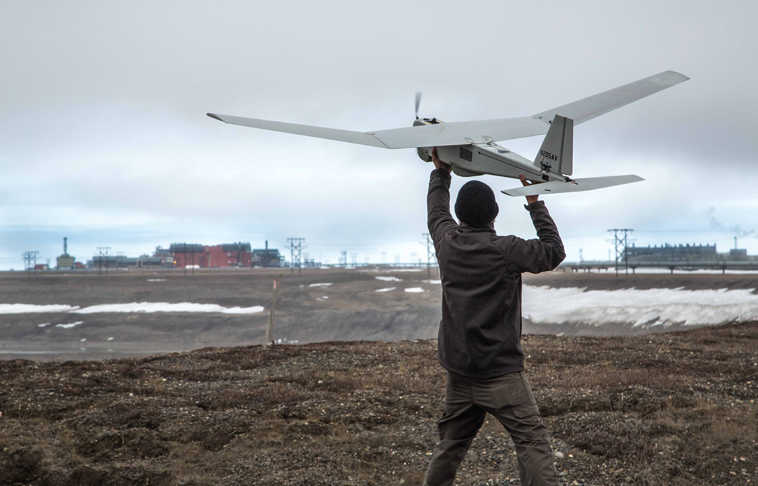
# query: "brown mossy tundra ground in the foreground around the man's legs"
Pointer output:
{"type": "Point", "coordinates": [676, 408]}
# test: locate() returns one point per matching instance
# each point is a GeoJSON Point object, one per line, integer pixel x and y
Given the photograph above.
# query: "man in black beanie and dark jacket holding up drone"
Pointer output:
{"type": "Point", "coordinates": [480, 332]}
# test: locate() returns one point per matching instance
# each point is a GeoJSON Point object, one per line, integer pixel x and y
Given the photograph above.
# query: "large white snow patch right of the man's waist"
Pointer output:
{"type": "Point", "coordinates": [648, 308]}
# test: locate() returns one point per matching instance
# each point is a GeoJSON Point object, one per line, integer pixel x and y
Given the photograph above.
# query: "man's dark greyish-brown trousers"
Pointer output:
{"type": "Point", "coordinates": [509, 398]}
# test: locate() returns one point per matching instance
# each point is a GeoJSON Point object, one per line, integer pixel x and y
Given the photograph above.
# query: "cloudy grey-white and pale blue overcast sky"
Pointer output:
{"type": "Point", "coordinates": [104, 138]}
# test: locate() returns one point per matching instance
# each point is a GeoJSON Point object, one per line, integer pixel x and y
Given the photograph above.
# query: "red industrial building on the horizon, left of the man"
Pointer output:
{"type": "Point", "coordinates": [224, 255]}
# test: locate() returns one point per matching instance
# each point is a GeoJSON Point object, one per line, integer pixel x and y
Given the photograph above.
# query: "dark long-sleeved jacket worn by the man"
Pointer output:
{"type": "Point", "coordinates": [480, 332]}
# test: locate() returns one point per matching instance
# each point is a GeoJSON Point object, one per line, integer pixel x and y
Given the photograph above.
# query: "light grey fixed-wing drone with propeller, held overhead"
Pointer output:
{"type": "Point", "coordinates": [469, 147]}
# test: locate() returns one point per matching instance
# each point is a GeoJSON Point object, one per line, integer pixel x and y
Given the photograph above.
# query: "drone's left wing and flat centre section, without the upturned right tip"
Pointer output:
{"type": "Point", "coordinates": [439, 135]}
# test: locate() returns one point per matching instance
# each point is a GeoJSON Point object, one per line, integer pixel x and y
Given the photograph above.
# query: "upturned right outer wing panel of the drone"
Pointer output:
{"type": "Point", "coordinates": [596, 105]}
